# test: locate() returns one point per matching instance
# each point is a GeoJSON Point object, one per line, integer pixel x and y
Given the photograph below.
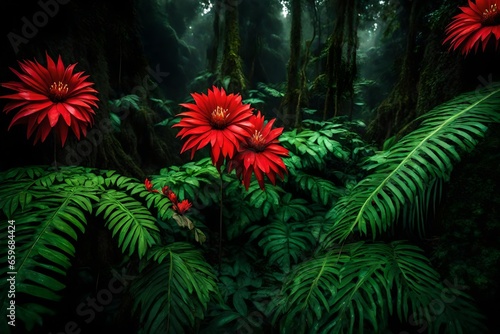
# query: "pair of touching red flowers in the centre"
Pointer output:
{"type": "Point", "coordinates": [235, 134]}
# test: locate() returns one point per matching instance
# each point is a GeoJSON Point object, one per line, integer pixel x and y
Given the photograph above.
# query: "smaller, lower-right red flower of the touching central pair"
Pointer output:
{"type": "Point", "coordinates": [260, 154]}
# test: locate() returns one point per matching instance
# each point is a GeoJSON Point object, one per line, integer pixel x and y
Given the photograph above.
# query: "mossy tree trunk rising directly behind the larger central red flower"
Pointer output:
{"type": "Point", "coordinates": [231, 61]}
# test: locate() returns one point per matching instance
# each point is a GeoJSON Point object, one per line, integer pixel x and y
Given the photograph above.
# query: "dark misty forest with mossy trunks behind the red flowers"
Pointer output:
{"type": "Point", "coordinates": [379, 61]}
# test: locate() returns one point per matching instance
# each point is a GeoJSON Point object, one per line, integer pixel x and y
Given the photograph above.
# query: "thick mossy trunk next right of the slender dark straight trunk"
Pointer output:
{"type": "Point", "coordinates": [341, 61]}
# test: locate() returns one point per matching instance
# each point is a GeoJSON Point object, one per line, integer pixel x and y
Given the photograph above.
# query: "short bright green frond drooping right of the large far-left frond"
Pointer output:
{"type": "Point", "coordinates": [129, 221]}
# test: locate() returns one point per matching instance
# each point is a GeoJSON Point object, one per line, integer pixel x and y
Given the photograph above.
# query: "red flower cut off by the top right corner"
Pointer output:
{"type": "Point", "coordinates": [476, 25]}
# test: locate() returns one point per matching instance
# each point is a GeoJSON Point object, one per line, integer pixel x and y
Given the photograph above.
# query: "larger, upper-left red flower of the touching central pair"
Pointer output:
{"type": "Point", "coordinates": [219, 119]}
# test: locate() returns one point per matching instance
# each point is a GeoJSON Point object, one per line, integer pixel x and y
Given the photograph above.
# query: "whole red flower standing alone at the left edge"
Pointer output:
{"type": "Point", "coordinates": [51, 97]}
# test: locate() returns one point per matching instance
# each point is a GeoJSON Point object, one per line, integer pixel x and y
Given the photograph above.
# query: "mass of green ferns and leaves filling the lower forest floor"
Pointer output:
{"type": "Point", "coordinates": [308, 254]}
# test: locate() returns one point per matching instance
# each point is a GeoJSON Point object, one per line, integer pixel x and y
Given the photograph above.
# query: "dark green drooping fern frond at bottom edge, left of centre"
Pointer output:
{"type": "Point", "coordinates": [173, 291]}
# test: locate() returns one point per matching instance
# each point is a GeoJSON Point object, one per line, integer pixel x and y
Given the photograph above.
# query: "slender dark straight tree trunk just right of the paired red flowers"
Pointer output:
{"type": "Point", "coordinates": [291, 105]}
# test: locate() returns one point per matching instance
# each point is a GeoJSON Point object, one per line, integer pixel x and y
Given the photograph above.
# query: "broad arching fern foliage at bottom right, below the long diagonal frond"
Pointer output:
{"type": "Point", "coordinates": [357, 289]}
